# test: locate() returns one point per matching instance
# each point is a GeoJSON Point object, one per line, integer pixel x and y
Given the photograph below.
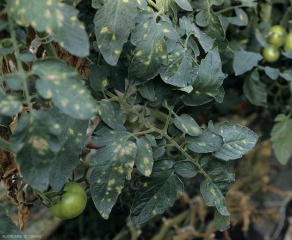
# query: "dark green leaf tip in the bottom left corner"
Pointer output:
{"type": "Point", "coordinates": [7, 226]}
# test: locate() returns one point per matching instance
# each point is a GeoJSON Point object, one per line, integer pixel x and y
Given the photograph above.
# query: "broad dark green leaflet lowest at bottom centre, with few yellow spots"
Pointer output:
{"type": "Point", "coordinates": [156, 192]}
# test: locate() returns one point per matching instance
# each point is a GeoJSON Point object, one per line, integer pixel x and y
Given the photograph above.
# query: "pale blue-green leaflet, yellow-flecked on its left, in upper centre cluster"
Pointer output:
{"type": "Point", "coordinates": [179, 70]}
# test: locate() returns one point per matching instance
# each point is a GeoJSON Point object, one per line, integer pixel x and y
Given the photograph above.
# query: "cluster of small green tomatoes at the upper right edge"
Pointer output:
{"type": "Point", "coordinates": [277, 38]}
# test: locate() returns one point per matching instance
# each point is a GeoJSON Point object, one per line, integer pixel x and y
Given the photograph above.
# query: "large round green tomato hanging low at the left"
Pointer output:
{"type": "Point", "coordinates": [71, 203]}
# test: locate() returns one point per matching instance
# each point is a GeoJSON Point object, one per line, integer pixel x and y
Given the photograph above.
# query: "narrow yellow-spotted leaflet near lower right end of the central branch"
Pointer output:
{"type": "Point", "coordinates": [214, 197]}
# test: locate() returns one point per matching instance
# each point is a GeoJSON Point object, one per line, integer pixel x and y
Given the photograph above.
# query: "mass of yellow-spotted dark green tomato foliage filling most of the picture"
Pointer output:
{"type": "Point", "coordinates": [151, 62]}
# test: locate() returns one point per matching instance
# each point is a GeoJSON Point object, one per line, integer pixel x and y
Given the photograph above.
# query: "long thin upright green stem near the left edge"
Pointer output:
{"type": "Point", "coordinates": [21, 72]}
